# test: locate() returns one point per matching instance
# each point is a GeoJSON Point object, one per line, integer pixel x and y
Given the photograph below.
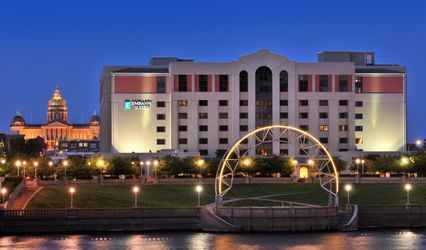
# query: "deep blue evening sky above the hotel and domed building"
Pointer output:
{"type": "Point", "coordinates": [43, 43]}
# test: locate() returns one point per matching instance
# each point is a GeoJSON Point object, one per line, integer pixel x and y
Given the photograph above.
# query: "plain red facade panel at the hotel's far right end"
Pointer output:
{"type": "Point", "coordinates": [383, 84]}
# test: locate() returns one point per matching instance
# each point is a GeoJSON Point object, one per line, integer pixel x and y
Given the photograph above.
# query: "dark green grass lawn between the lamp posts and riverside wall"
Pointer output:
{"type": "Point", "coordinates": [97, 196]}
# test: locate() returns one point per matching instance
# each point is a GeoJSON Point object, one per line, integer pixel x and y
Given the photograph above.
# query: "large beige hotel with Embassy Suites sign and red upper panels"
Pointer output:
{"type": "Point", "coordinates": [346, 100]}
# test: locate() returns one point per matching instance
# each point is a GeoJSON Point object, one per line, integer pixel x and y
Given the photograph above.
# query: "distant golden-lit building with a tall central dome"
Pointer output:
{"type": "Point", "coordinates": [57, 128]}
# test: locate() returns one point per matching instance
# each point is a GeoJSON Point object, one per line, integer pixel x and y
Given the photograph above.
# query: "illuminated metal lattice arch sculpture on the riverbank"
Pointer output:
{"type": "Point", "coordinates": [302, 140]}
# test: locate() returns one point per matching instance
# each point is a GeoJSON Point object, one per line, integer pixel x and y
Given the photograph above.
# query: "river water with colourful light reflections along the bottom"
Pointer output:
{"type": "Point", "coordinates": [390, 239]}
